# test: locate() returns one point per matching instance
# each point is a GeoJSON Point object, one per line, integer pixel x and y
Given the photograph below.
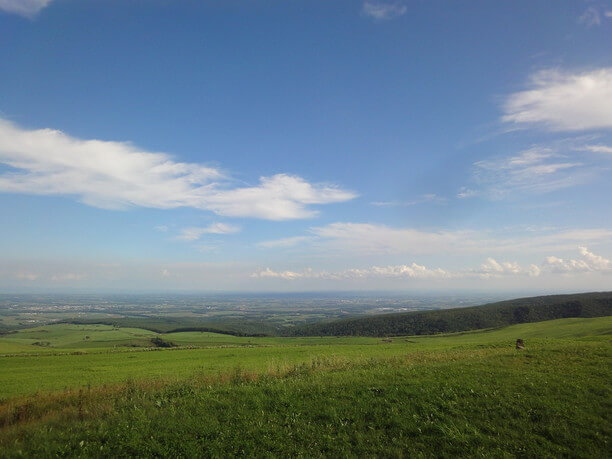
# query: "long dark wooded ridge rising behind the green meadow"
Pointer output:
{"type": "Point", "coordinates": [500, 314]}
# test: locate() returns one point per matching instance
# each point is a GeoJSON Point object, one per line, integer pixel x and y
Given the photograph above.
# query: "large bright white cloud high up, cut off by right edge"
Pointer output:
{"type": "Point", "coordinates": [564, 101]}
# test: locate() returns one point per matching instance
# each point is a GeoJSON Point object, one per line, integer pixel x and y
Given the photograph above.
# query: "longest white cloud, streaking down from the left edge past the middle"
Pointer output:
{"type": "Point", "coordinates": [116, 175]}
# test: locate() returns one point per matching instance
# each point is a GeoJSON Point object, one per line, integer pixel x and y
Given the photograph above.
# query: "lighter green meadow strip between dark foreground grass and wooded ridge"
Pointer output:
{"type": "Point", "coordinates": [69, 367]}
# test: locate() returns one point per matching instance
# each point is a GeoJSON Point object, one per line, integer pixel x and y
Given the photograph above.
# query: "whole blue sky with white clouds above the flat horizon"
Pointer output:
{"type": "Point", "coordinates": [310, 145]}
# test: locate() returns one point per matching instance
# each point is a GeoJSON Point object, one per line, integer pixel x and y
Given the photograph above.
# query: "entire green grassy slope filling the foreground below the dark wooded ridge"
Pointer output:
{"type": "Point", "coordinates": [464, 394]}
